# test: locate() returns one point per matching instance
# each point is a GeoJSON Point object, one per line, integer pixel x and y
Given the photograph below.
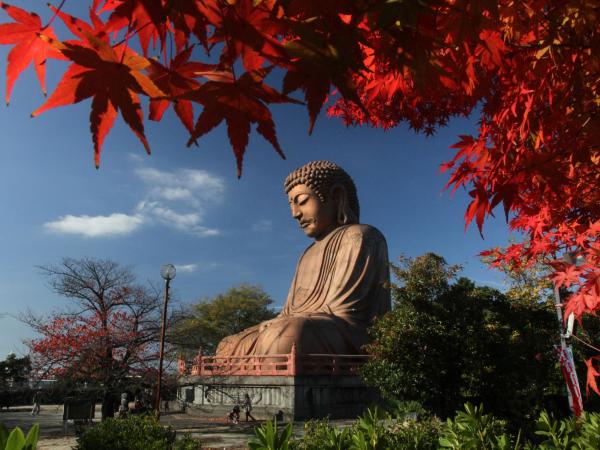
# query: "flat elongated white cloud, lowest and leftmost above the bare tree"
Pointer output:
{"type": "Point", "coordinates": [96, 226]}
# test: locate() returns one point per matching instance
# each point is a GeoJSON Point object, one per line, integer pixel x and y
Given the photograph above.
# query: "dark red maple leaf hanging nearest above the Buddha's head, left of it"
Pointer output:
{"type": "Point", "coordinates": [240, 103]}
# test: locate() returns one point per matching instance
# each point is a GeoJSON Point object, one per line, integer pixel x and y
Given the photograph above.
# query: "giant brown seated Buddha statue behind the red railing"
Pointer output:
{"type": "Point", "coordinates": [341, 281]}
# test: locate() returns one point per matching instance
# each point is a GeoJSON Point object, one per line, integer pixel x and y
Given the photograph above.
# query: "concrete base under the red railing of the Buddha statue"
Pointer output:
{"type": "Point", "coordinates": [288, 398]}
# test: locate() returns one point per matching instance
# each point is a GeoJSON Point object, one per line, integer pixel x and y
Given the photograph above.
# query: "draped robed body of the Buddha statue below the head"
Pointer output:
{"type": "Point", "coordinates": [340, 286]}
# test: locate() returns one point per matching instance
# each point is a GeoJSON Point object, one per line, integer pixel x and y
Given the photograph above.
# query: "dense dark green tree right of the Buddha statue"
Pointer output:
{"type": "Point", "coordinates": [447, 341]}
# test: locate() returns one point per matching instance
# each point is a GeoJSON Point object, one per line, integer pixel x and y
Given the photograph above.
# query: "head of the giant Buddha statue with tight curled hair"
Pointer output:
{"type": "Point", "coordinates": [322, 197]}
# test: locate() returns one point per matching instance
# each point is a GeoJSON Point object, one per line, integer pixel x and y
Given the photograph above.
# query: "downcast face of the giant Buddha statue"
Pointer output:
{"type": "Point", "coordinates": [316, 218]}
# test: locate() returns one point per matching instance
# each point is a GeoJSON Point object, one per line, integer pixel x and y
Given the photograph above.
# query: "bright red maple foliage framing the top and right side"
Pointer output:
{"type": "Point", "coordinates": [527, 70]}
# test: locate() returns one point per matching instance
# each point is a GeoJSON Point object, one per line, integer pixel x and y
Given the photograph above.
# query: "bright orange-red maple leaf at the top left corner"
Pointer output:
{"type": "Point", "coordinates": [29, 47]}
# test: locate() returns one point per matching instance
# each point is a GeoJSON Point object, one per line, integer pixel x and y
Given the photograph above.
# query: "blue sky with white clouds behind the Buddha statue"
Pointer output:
{"type": "Point", "coordinates": [185, 205]}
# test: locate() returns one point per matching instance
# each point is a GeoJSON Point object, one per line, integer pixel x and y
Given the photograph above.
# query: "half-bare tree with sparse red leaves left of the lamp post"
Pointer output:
{"type": "Point", "coordinates": [108, 335]}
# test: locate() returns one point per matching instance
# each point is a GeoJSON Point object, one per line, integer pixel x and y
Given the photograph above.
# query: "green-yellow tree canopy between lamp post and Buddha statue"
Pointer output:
{"type": "Point", "coordinates": [206, 322]}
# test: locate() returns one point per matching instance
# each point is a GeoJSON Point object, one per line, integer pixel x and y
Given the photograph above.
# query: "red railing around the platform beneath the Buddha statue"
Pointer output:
{"type": "Point", "coordinates": [266, 365]}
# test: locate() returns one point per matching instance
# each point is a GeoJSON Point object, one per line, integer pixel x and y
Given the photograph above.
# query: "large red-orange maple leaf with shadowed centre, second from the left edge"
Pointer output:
{"type": "Point", "coordinates": [113, 77]}
